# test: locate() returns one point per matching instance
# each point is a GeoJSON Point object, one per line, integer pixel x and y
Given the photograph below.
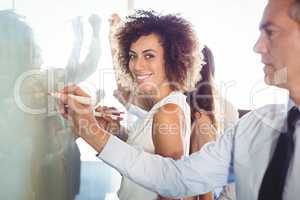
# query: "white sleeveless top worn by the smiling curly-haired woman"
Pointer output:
{"type": "Point", "coordinates": [142, 138]}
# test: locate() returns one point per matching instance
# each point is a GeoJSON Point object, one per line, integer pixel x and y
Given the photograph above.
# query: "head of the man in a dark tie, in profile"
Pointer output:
{"type": "Point", "coordinates": [279, 43]}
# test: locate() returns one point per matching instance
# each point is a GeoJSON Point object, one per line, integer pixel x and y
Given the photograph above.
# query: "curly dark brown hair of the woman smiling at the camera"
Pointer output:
{"type": "Point", "coordinates": [176, 36]}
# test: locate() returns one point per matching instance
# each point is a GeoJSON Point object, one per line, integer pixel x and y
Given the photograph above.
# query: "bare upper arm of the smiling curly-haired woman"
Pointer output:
{"type": "Point", "coordinates": [167, 125]}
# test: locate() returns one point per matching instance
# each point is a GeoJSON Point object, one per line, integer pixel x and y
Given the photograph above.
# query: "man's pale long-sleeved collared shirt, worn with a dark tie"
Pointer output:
{"type": "Point", "coordinates": [244, 150]}
